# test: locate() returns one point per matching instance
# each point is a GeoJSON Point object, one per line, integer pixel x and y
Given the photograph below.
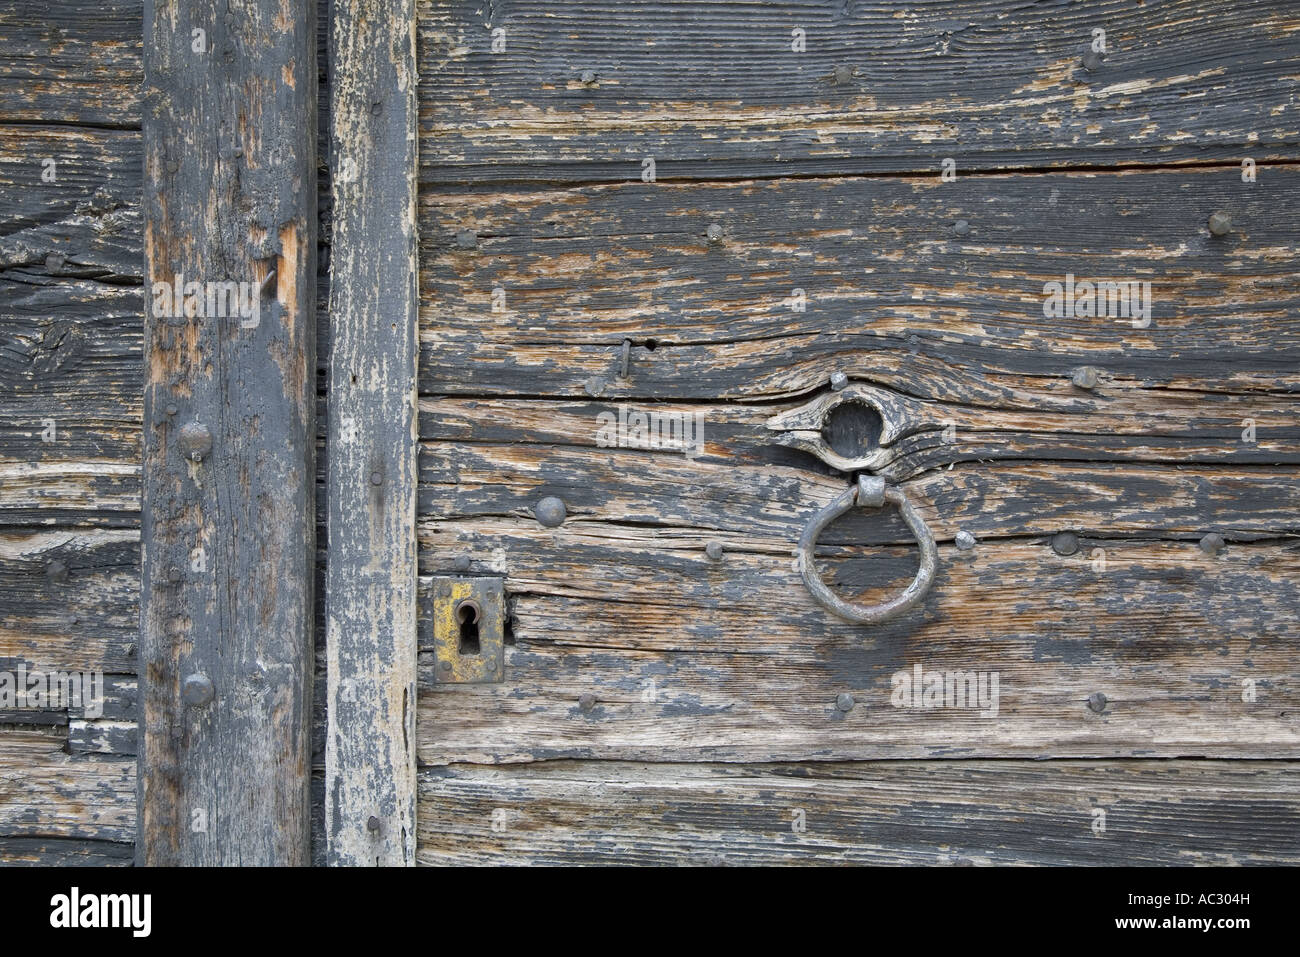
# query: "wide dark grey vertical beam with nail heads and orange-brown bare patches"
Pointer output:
{"type": "Point", "coordinates": [229, 432]}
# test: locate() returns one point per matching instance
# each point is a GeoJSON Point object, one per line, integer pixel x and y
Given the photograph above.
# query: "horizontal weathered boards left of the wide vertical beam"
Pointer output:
{"type": "Point", "coordinates": [71, 347]}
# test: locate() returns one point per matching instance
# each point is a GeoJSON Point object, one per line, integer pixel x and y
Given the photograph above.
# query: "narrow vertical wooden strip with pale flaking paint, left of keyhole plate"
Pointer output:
{"type": "Point", "coordinates": [371, 578]}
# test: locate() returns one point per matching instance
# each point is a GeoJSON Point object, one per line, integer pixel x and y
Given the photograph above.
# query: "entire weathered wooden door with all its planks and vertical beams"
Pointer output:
{"type": "Point", "coordinates": [476, 539]}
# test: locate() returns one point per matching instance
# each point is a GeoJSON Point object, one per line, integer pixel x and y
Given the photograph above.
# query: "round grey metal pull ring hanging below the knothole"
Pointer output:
{"type": "Point", "coordinates": [870, 492]}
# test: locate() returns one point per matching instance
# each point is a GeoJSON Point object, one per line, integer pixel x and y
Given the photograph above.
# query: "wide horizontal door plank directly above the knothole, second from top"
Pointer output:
{"type": "Point", "coordinates": [894, 295]}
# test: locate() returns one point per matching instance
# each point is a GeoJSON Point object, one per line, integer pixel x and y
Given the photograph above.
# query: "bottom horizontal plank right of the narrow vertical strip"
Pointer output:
{"type": "Point", "coordinates": [886, 813]}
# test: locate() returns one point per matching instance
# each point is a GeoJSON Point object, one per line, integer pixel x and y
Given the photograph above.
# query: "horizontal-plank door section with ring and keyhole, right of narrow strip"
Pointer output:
{"type": "Point", "coordinates": [1048, 250]}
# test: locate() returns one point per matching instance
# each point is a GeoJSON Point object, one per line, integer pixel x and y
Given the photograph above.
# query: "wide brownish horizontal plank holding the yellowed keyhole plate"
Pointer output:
{"type": "Point", "coordinates": [687, 659]}
